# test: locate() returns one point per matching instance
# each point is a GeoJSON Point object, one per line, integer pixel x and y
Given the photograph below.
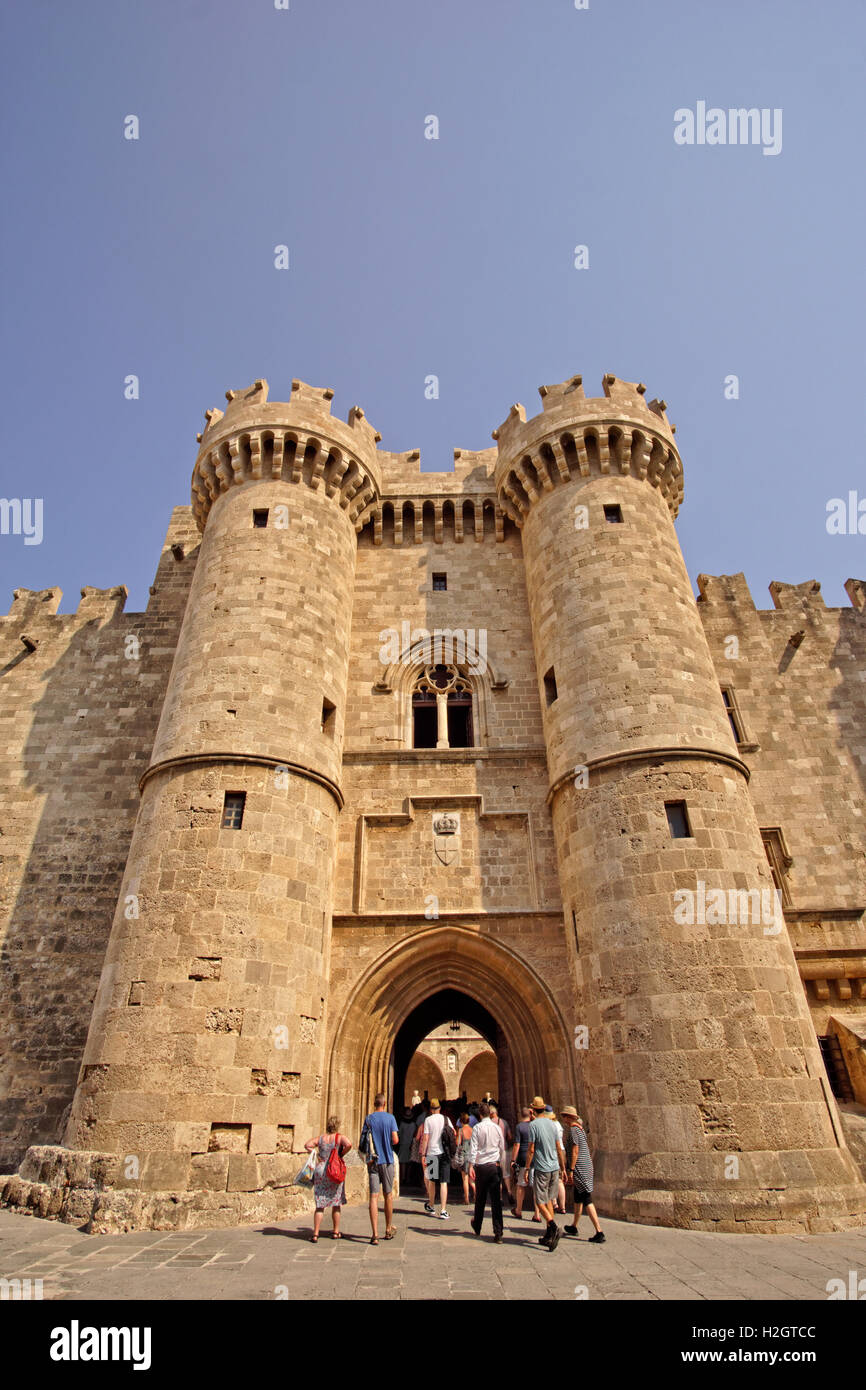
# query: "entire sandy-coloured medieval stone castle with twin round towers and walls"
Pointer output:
{"type": "Point", "coordinates": [391, 749]}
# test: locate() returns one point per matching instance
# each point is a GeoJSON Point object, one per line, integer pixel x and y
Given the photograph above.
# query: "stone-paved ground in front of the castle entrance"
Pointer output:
{"type": "Point", "coordinates": [429, 1259]}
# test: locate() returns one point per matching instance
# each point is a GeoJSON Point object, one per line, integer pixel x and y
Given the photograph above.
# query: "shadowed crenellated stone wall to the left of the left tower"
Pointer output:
{"type": "Point", "coordinates": [80, 707]}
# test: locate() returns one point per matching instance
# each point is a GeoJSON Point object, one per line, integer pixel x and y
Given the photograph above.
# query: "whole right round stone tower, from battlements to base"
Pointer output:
{"type": "Point", "coordinates": [704, 1086]}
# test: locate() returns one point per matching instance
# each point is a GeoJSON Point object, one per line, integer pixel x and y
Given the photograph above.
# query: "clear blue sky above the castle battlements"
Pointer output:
{"type": "Point", "coordinates": [414, 256]}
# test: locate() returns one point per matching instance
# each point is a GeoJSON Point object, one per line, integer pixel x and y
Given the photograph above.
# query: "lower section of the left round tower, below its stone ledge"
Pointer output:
{"type": "Point", "coordinates": [209, 1024]}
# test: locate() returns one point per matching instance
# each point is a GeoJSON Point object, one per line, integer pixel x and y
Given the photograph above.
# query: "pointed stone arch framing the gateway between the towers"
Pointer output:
{"type": "Point", "coordinates": [534, 1049]}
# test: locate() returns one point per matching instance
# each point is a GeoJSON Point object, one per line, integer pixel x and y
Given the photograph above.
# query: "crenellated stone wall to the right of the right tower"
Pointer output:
{"type": "Point", "coordinates": [799, 679]}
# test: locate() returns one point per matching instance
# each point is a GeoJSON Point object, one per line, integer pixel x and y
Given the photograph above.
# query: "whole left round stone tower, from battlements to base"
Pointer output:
{"type": "Point", "coordinates": [205, 1058]}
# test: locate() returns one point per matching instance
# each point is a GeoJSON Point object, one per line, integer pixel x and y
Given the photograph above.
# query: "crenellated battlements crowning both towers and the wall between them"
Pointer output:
{"type": "Point", "coordinates": [301, 441]}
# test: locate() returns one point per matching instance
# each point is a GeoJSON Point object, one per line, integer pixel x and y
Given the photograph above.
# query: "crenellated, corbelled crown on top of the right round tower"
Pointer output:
{"type": "Point", "coordinates": [576, 436]}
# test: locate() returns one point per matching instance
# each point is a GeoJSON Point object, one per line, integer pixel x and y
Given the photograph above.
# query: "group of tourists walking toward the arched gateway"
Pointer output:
{"type": "Point", "coordinates": [546, 1159]}
